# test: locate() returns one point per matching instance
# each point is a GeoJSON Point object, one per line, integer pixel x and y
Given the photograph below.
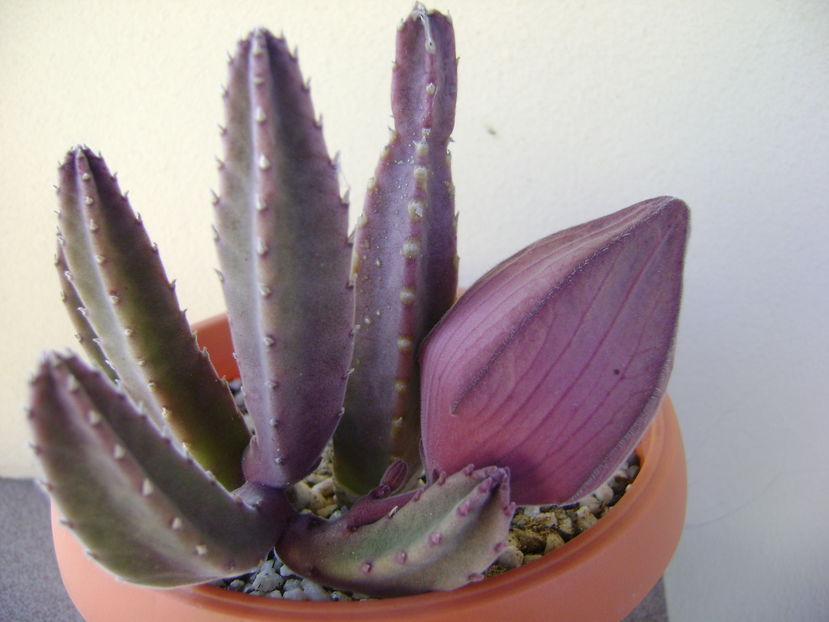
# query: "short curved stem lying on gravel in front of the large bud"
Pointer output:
{"type": "Point", "coordinates": [436, 538]}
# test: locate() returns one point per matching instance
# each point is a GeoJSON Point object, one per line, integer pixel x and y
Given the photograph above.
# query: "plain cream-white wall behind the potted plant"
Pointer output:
{"type": "Point", "coordinates": [567, 110]}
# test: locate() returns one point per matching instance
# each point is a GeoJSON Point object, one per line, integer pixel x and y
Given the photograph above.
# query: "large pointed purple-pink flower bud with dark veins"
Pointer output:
{"type": "Point", "coordinates": [555, 361]}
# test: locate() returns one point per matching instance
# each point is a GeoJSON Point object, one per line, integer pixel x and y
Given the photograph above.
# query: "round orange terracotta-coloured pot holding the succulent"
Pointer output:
{"type": "Point", "coordinates": [601, 575]}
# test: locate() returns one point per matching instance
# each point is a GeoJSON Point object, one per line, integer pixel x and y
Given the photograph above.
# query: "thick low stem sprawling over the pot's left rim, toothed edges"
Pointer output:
{"type": "Point", "coordinates": [145, 511]}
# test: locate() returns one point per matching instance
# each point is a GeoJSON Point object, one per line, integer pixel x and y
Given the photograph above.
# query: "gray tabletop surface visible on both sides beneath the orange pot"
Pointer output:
{"type": "Point", "coordinates": [30, 586]}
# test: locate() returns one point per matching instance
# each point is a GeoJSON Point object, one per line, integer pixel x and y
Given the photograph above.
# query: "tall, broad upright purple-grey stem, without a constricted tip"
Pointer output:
{"type": "Point", "coordinates": [285, 256]}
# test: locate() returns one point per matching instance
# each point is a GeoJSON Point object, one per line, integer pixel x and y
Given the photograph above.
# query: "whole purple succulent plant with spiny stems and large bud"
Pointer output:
{"type": "Point", "coordinates": [531, 389]}
